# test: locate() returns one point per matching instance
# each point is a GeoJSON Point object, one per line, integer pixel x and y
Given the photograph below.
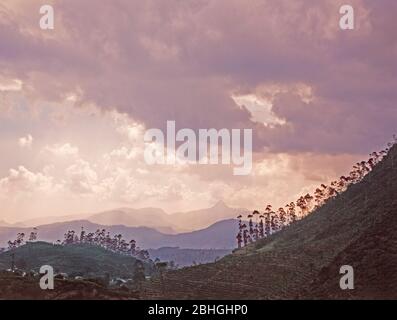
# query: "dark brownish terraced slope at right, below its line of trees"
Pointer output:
{"type": "Point", "coordinates": [357, 228]}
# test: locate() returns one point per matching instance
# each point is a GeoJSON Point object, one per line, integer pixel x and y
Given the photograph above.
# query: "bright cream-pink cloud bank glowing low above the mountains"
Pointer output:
{"type": "Point", "coordinates": [94, 179]}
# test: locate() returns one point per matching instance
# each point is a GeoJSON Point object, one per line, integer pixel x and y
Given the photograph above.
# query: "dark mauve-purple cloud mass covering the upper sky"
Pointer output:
{"type": "Point", "coordinates": [184, 62]}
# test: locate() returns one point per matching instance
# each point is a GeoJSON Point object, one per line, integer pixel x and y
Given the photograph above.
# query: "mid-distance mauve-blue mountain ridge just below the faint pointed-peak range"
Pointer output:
{"type": "Point", "coordinates": [220, 235]}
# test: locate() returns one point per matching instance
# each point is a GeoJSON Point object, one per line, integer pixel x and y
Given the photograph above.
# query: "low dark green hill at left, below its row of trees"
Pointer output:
{"type": "Point", "coordinates": [75, 260]}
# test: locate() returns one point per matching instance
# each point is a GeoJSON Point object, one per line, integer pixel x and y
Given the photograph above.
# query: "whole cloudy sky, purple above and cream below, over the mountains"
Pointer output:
{"type": "Point", "coordinates": [76, 101]}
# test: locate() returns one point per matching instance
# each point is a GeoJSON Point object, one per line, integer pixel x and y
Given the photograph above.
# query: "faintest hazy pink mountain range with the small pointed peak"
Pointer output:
{"type": "Point", "coordinates": [154, 218]}
